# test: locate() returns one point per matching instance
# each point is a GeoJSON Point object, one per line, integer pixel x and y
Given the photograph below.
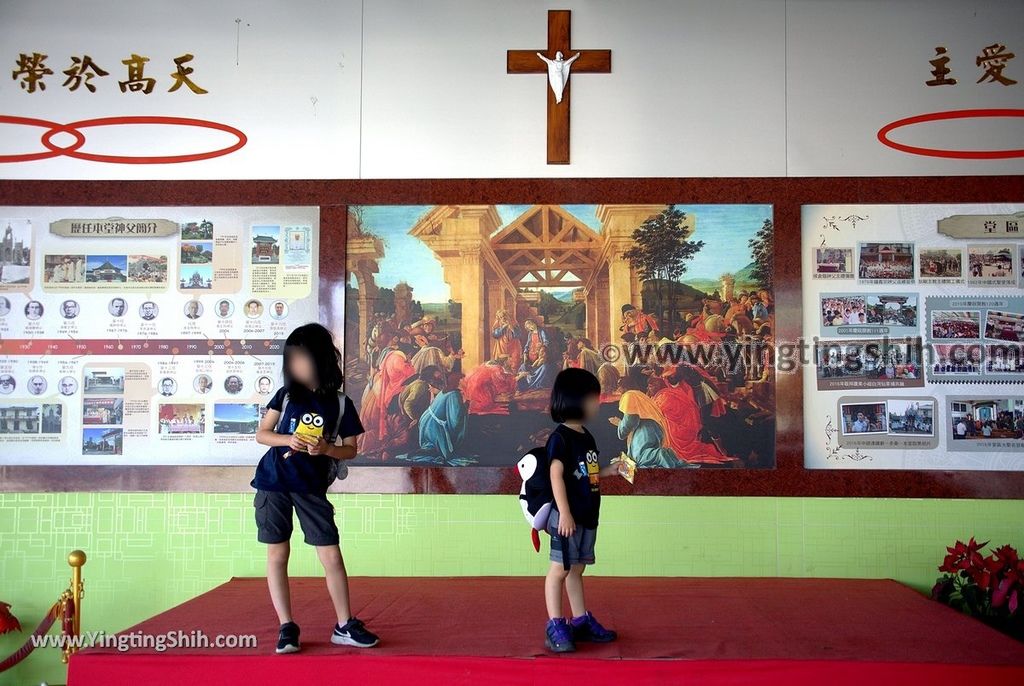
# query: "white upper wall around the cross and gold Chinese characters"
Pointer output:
{"type": "Point", "coordinates": [417, 89]}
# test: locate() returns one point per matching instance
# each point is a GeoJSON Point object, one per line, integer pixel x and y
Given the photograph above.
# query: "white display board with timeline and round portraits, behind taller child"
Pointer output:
{"type": "Point", "coordinates": [147, 336]}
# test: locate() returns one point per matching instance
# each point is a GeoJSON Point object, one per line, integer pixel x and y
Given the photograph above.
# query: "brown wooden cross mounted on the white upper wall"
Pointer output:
{"type": "Point", "coordinates": [590, 62]}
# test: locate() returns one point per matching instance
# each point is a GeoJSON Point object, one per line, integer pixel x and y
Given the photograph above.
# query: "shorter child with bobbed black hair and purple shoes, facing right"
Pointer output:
{"type": "Point", "coordinates": [576, 483]}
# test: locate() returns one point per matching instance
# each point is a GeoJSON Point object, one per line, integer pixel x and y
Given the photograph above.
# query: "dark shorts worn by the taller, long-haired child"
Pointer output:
{"type": "Point", "coordinates": [274, 518]}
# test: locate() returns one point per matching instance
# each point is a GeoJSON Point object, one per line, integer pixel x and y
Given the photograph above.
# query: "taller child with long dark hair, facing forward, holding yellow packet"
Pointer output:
{"type": "Point", "coordinates": [295, 474]}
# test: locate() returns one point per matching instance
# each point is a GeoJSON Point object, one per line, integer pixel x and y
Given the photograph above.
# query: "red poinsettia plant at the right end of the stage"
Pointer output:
{"type": "Point", "coordinates": [989, 587]}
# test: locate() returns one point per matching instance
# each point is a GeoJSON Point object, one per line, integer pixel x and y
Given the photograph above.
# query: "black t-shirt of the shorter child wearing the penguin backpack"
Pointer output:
{"type": "Point", "coordinates": [578, 453]}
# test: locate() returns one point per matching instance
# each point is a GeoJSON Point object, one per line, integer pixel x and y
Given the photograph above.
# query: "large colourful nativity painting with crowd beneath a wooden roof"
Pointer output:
{"type": "Point", "coordinates": [460, 317]}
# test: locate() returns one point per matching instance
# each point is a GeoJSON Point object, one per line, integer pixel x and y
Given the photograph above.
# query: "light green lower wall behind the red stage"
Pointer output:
{"type": "Point", "coordinates": [151, 551]}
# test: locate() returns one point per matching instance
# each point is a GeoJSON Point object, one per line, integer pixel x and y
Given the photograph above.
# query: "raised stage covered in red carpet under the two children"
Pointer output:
{"type": "Point", "coordinates": [490, 631]}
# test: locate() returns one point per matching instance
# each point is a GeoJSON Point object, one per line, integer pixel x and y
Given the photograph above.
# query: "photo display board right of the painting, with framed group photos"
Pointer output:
{"type": "Point", "coordinates": [914, 328]}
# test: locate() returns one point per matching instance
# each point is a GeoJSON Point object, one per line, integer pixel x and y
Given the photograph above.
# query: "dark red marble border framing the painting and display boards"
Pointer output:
{"type": "Point", "coordinates": [787, 195]}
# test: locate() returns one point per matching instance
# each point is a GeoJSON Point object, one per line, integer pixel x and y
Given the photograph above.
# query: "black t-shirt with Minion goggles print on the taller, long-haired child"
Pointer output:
{"type": "Point", "coordinates": [302, 473]}
